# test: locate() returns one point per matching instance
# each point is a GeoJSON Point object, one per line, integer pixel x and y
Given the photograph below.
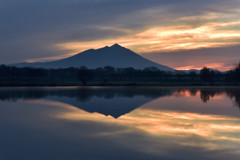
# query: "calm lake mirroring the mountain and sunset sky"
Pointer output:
{"type": "Point", "coordinates": [119, 123]}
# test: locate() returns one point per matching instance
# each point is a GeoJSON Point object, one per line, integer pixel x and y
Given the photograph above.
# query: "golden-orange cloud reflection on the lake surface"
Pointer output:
{"type": "Point", "coordinates": [185, 129]}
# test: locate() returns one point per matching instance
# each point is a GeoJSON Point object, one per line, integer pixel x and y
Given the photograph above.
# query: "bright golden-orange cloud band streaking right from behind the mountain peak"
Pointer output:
{"type": "Point", "coordinates": [170, 38]}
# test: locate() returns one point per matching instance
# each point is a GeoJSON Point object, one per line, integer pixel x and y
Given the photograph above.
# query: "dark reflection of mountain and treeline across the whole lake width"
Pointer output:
{"type": "Point", "coordinates": [113, 101]}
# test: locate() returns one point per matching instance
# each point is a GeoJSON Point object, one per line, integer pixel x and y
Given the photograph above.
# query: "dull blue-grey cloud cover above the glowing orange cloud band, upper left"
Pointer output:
{"type": "Point", "coordinates": [30, 28]}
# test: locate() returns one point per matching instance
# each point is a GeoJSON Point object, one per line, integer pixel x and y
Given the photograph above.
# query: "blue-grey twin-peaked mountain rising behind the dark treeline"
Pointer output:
{"type": "Point", "coordinates": [115, 56]}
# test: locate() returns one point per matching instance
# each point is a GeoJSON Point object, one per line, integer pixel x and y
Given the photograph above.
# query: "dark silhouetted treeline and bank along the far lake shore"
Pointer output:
{"type": "Point", "coordinates": [109, 76]}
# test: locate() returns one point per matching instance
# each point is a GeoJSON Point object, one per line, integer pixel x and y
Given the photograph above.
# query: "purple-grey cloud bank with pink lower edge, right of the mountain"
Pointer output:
{"type": "Point", "coordinates": [222, 58]}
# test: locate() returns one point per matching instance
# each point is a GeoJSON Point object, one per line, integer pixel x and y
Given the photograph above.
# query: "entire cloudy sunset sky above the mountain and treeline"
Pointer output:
{"type": "Point", "coordinates": [181, 34]}
